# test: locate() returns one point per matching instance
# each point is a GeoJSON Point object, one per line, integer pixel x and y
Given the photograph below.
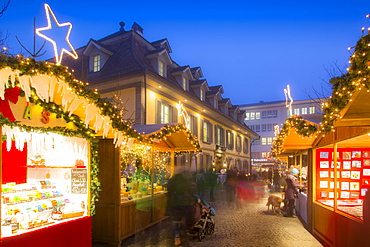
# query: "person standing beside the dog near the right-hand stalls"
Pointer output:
{"type": "Point", "coordinates": [291, 192]}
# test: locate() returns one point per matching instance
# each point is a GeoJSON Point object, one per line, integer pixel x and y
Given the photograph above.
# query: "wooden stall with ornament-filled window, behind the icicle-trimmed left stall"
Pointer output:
{"type": "Point", "coordinates": [135, 176]}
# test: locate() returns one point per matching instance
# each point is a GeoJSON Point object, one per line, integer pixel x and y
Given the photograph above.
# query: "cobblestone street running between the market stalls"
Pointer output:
{"type": "Point", "coordinates": [249, 226]}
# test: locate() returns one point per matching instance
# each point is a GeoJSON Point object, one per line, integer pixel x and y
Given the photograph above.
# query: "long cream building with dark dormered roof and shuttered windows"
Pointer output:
{"type": "Point", "coordinates": [141, 78]}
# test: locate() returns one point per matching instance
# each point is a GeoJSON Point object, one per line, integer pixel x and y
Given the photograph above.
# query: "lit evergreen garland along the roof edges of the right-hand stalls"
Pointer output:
{"type": "Point", "coordinates": [357, 78]}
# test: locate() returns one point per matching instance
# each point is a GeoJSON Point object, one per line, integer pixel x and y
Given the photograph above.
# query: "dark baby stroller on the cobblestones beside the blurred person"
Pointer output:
{"type": "Point", "coordinates": [205, 224]}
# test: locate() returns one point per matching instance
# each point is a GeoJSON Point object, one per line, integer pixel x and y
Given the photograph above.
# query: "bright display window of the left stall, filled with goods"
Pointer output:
{"type": "Point", "coordinates": [44, 180]}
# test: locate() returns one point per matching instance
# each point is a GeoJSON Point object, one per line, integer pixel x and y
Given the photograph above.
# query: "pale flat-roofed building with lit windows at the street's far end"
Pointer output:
{"type": "Point", "coordinates": [266, 119]}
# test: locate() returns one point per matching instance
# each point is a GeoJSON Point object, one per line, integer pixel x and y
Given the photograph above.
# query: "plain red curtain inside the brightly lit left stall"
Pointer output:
{"type": "Point", "coordinates": [14, 164]}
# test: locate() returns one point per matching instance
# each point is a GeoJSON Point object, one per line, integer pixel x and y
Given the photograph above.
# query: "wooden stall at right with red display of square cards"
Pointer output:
{"type": "Point", "coordinates": [339, 154]}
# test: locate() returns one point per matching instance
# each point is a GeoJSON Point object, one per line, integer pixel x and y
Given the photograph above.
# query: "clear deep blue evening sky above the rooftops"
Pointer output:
{"type": "Point", "coordinates": [252, 48]}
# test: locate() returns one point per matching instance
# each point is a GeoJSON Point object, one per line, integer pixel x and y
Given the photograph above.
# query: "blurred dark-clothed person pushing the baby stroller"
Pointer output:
{"type": "Point", "coordinates": [180, 205]}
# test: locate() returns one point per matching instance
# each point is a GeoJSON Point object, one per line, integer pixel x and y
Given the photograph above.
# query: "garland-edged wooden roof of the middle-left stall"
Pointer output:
{"type": "Point", "coordinates": [173, 136]}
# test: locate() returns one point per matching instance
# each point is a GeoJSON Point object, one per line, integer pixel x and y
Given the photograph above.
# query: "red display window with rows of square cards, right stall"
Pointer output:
{"type": "Point", "coordinates": [343, 186]}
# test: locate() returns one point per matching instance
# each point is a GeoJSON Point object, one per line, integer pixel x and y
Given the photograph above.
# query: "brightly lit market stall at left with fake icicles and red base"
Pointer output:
{"type": "Point", "coordinates": [49, 185]}
